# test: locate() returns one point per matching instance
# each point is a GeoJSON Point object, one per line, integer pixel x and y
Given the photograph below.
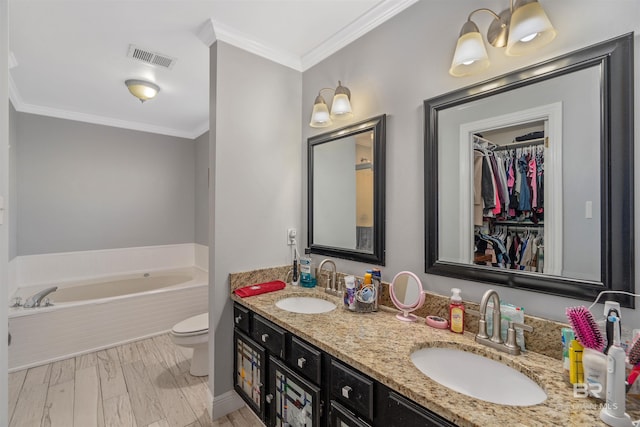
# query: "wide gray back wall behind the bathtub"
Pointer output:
{"type": "Point", "coordinates": [84, 187]}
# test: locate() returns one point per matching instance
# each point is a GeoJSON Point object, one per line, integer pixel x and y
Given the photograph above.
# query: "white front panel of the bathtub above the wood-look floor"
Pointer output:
{"type": "Point", "coordinates": [94, 325]}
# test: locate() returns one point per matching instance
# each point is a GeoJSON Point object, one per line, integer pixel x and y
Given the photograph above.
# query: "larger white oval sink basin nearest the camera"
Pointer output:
{"type": "Point", "coordinates": [478, 377]}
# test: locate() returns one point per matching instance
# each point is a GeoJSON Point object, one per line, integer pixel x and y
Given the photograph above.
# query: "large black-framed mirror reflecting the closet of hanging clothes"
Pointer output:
{"type": "Point", "coordinates": [529, 177]}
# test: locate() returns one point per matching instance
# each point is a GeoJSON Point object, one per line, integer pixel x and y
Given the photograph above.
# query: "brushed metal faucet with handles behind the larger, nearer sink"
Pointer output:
{"type": "Point", "coordinates": [495, 341]}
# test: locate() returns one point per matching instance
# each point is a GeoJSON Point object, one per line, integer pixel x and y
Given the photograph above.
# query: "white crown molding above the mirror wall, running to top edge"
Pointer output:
{"type": "Point", "coordinates": [367, 22]}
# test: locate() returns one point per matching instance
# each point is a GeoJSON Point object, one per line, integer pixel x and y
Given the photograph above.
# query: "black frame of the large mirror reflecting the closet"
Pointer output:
{"type": "Point", "coordinates": [615, 58]}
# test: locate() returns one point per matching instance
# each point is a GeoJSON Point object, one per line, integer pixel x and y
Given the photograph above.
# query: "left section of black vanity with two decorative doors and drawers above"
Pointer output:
{"type": "Point", "coordinates": [276, 374]}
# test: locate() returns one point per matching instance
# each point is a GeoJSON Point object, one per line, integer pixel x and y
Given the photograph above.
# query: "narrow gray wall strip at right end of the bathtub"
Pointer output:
{"type": "Point", "coordinates": [202, 189]}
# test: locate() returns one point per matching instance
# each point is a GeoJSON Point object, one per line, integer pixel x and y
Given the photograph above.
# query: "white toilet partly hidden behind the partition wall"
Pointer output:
{"type": "Point", "coordinates": [194, 333]}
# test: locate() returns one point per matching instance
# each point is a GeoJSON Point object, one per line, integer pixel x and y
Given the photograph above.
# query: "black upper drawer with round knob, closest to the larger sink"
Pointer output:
{"type": "Point", "coordinates": [351, 389]}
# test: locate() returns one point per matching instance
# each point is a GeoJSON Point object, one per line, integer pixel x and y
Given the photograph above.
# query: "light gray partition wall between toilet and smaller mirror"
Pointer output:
{"type": "Point", "coordinates": [255, 163]}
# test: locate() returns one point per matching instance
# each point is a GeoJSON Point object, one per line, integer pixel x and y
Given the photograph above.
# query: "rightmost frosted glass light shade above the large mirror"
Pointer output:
{"type": "Point", "coordinates": [530, 29]}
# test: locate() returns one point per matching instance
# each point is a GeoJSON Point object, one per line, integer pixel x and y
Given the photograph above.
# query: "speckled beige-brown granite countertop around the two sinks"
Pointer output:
{"type": "Point", "coordinates": [380, 346]}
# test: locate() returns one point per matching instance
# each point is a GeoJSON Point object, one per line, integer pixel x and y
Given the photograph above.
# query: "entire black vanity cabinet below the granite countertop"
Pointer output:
{"type": "Point", "coordinates": [286, 381]}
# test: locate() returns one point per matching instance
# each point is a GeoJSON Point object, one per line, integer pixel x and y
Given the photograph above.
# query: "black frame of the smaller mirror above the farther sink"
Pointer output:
{"type": "Point", "coordinates": [378, 126]}
